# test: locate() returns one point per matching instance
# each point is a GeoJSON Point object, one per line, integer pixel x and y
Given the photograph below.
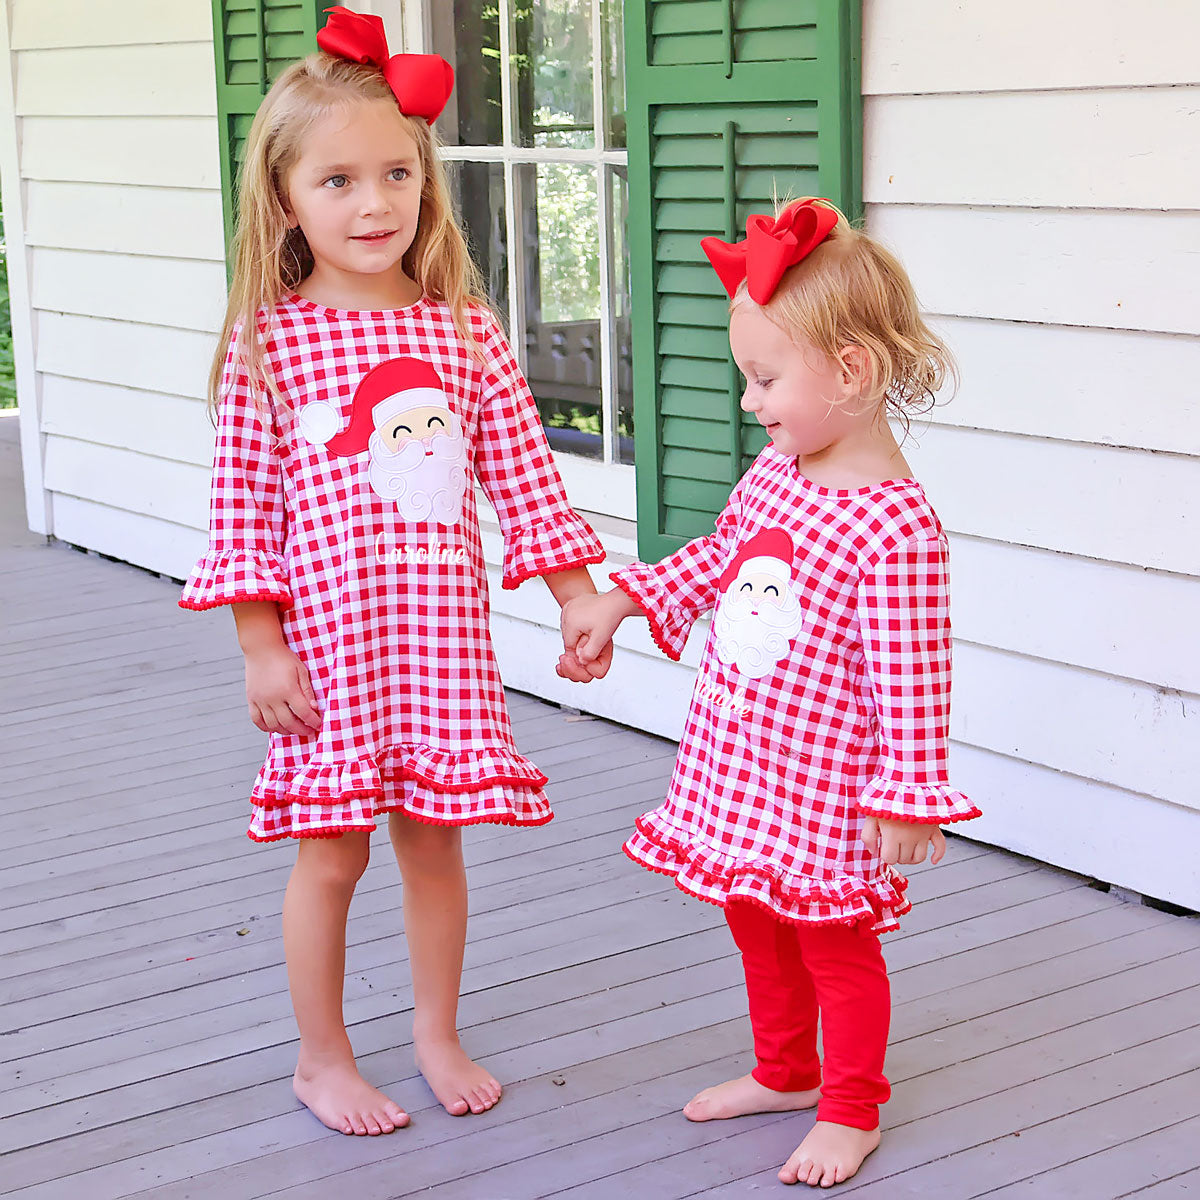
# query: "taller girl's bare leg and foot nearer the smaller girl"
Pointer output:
{"type": "Point", "coordinates": [436, 923]}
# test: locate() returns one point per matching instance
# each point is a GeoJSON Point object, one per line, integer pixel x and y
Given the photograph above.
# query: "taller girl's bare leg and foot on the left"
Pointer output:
{"type": "Point", "coordinates": [315, 909]}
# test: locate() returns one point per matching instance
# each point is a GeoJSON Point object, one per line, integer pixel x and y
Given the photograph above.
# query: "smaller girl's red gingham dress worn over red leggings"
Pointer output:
{"type": "Point", "coordinates": [771, 791]}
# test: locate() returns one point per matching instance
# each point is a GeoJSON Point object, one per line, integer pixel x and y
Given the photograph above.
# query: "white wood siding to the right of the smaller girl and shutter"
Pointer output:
{"type": "Point", "coordinates": [1042, 193]}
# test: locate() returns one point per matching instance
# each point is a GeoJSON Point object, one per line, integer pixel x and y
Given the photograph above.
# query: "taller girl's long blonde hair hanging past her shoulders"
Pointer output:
{"type": "Point", "coordinates": [272, 260]}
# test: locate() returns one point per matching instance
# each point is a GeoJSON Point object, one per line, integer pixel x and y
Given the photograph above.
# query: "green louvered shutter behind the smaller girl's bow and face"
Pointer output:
{"type": "Point", "coordinates": [729, 104]}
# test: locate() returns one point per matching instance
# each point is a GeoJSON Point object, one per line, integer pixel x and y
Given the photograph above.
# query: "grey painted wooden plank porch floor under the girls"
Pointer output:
{"type": "Point", "coordinates": [1046, 1036]}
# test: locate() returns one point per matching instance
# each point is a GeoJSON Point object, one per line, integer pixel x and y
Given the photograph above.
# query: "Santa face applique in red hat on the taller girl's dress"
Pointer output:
{"type": "Point", "coordinates": [401, 415]}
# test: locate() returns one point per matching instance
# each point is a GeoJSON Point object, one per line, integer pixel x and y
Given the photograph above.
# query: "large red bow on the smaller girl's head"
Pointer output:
{"type": "Point", "coordinates": [772, 245]}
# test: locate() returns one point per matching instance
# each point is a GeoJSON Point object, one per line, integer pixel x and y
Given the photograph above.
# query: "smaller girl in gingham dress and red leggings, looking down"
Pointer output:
{"type": "Point", "coordinates": [814, 754]}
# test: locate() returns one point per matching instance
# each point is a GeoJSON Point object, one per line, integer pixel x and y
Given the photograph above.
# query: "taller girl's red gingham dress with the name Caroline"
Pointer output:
{"type": "Point", "coordinates": [397, 643]}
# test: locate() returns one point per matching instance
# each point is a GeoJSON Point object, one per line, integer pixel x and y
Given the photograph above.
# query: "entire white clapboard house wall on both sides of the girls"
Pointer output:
{"type": "Point", "coordinates": [1041, 189]}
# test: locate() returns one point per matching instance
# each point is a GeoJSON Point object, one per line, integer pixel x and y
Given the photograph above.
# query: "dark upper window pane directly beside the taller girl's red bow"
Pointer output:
{"type": "Point", "coordinates": [467, 35]}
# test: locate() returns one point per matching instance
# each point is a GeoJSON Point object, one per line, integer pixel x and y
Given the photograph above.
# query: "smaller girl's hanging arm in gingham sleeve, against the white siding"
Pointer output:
{"type": "Point", "coordinates": [905, 621]}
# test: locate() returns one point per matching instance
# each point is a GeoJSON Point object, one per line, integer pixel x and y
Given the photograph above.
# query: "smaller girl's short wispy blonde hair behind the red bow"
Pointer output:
{"type": "Point", "coordinates": [851, 291]}
